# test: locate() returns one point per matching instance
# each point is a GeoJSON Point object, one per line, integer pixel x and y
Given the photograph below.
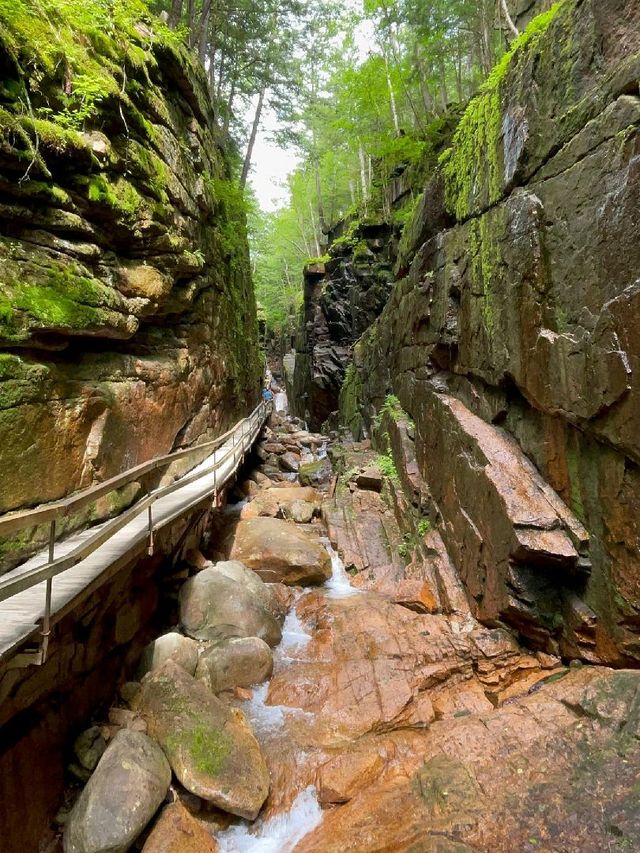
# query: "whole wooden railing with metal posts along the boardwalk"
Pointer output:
{"type": "Point", "coordinates": [242, 436]}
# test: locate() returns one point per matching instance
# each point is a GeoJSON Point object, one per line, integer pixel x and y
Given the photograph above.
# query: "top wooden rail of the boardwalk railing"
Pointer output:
{"type": "Point", "coordinates": [11, 522]}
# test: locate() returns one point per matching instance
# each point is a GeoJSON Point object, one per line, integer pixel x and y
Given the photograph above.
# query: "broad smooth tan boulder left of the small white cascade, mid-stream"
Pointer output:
{"type": "Point", "coordinates": [279, 552]}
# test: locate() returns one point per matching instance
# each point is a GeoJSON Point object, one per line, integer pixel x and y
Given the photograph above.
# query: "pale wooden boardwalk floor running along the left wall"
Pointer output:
{"type": "Point", "coordinates": [21, 615]}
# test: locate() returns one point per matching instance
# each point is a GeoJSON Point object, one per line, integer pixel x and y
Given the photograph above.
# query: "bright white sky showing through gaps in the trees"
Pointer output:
{"type": "Point", "coordinates": [271, 164]}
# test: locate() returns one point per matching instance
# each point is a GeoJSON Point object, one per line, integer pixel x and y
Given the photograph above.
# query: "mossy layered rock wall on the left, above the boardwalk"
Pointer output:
{"type": "Point", "coordinates": [127, 315]}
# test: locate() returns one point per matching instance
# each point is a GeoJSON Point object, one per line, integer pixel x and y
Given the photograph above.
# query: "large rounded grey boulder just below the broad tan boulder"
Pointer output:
{"type": "Point", "coordinates": [216, 607]}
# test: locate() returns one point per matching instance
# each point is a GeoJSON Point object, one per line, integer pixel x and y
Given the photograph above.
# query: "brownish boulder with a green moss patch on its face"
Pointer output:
{"type": "Point", "coordinates": [211, 747]}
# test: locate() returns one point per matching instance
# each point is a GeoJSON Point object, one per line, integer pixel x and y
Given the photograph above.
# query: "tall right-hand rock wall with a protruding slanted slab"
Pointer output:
{"type": "Point", "coordinates": [511, 337]}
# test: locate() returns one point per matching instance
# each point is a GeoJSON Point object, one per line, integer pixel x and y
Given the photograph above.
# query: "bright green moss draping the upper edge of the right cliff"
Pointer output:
{"type": "Point", "coordinates": [476, 149]}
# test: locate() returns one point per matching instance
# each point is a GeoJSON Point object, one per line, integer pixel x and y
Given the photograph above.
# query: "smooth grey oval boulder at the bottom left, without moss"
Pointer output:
{"type": "Point", "coordinates": [129, 784]}
